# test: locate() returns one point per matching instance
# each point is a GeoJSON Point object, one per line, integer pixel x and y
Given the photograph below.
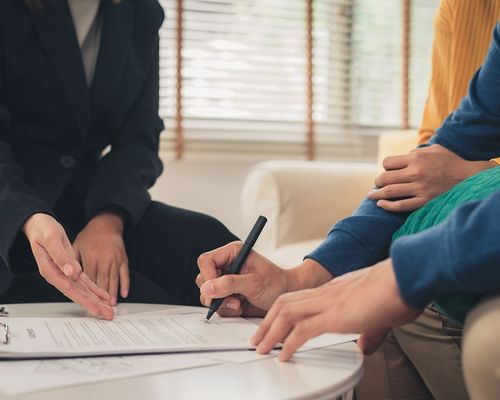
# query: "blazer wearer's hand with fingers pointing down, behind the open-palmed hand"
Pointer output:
{"type": "Point", "coordinates": [101, 250]}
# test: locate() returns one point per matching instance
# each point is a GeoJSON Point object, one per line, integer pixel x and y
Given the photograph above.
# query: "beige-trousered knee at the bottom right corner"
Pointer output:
{"type": "Point", "coordinates": [481, 352]}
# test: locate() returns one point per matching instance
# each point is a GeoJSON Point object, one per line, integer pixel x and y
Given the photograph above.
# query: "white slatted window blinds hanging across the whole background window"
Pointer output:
{"type": "Point", "coordinates": [244, 82]}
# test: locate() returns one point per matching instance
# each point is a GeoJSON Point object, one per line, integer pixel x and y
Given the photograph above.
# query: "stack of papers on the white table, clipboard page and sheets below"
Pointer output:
{"type": "Point", "coordinates": [49, 341]}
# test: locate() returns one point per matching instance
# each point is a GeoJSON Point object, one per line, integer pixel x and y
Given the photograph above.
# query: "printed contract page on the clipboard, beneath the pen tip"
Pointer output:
{"type": "Point", "coordinates": [134, 334]}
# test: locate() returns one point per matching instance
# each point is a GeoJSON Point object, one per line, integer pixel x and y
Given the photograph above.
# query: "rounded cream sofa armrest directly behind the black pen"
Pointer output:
{"type": "Point", "coordinates": [302, 199]}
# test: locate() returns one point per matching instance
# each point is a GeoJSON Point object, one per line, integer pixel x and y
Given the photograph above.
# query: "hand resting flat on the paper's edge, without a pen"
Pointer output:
{"type": "Point", "coordinates": [366, 301]}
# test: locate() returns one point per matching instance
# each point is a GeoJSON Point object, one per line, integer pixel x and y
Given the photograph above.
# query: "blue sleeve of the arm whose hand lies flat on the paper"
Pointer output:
{"type": "Point", "coordinates": [462, 254]}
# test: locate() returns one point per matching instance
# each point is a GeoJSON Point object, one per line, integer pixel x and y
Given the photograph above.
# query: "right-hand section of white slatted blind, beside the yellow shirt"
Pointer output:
{"type": "Point", "coordinates": [377, 63]}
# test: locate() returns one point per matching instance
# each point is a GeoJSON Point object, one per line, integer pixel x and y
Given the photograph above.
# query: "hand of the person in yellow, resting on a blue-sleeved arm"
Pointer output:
{"type": "Point", "coordinates": [413, 179]}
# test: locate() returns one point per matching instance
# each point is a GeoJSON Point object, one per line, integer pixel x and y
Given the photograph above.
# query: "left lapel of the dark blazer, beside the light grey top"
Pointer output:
{"type": "Point", "coordinates": [56, 30]}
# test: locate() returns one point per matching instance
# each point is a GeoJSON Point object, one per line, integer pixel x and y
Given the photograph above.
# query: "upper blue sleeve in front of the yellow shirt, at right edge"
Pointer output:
{"type": "Point", "coordinates": [473, 130]}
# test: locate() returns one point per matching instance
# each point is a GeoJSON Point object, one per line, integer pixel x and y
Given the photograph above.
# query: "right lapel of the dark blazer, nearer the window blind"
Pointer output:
{"type": "Point", "coordinates": [116, 40]}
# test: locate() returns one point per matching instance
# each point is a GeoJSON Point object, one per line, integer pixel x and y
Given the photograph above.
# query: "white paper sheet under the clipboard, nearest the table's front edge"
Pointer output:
{"type": "Point", "coordinates": [32, 375]}
